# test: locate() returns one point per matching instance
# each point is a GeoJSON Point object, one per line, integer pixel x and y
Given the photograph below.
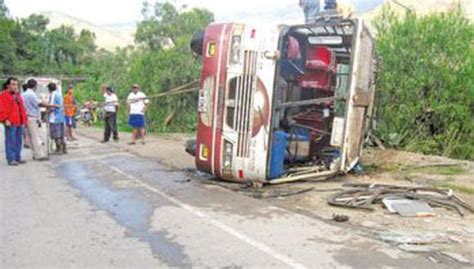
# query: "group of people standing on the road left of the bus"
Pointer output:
{"type": "Point", "coordinates": [20, 114]}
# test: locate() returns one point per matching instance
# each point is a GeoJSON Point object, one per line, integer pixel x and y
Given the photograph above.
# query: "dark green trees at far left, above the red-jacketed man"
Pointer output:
{"type": "Point", "coordinates": [27, 47]}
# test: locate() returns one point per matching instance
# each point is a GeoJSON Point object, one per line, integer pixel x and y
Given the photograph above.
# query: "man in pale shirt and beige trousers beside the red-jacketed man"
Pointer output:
{"type": "Point", "coordinates": [32, 107]}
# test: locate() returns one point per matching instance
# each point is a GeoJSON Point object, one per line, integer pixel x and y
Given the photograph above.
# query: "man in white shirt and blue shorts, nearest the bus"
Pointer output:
{"type": "Point", "coordinates": [137, 104]}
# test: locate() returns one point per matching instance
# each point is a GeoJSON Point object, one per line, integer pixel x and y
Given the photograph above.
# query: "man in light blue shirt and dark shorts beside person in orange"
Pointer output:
{"type": "Point", "coordinates": [56, 118]}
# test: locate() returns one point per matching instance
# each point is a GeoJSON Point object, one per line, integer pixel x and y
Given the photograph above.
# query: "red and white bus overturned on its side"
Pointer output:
{"type": "Point", "coordinates": [286, 103]}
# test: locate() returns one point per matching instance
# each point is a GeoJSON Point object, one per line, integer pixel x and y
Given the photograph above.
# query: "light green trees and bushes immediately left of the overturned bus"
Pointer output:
{"type": "Point", "coordinates": [160, 61]}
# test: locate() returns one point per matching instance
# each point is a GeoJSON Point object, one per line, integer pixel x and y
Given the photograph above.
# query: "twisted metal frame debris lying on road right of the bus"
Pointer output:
{"type": "Point", "coordinates": [364, 196]}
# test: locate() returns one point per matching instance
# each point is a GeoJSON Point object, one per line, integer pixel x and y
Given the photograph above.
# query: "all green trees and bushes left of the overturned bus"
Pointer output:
{"type": "Point", "coordinates": [160, 60]}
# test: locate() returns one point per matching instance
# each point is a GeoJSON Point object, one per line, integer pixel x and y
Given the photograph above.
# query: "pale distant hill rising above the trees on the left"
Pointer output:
{"type": "Point", "coordinates": [108, 37]}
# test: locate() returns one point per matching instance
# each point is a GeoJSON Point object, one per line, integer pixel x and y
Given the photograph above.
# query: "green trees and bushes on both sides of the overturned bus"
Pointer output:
{"type": "Point", "coordinates": [425, 84]}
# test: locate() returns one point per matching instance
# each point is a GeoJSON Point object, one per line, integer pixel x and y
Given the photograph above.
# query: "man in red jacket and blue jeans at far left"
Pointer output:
{"type": "Point", "coordinates": [13, 116]}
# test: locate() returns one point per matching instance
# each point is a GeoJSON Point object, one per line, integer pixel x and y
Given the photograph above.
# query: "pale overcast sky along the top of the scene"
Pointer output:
{"type": "Point", "coordinates": [126, 11]}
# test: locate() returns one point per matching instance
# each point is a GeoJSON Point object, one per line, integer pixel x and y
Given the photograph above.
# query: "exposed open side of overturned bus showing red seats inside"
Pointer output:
{"type": "Point", "coordinates": [315, 72]}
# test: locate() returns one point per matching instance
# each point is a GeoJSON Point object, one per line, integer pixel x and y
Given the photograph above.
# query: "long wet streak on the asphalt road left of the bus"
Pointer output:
{"type": "Point", "coordinates": [129, 207]}
